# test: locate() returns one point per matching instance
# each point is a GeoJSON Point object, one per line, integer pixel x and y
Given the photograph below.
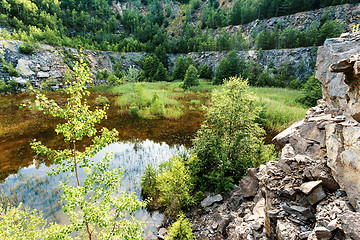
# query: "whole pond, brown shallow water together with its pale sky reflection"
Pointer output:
{"type": "Point", "coordinates": [24, 177]}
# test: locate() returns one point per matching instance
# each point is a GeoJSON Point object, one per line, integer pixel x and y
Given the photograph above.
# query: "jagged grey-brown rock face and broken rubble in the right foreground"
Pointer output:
{"type": "Point", "coordinates": [312, 191]}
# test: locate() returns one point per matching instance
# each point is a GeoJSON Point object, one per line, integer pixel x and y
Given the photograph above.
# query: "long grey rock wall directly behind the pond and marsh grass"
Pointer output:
{"type": "Point", "coordinates": [52, 62]}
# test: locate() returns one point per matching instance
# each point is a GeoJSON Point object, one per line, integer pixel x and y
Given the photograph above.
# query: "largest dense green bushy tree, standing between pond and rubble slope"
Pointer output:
{"type": "Point", "coordinates": [229, 141]}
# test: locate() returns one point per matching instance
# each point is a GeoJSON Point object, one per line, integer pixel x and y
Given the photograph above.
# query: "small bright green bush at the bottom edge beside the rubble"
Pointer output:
{"type": "Point", "coordinates": [180, 230]}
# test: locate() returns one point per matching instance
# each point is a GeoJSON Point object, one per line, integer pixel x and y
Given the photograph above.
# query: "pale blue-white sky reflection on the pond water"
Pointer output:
{"type": "Point", "coordinates": [36, 190]}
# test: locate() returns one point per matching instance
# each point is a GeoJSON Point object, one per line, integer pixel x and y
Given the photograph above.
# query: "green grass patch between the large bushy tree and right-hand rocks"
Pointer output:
{"type": "Point", "coordinates": [280, 109]}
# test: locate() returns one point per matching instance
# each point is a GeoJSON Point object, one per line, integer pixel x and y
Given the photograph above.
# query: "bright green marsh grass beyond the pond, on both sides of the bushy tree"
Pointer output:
{"type": "Point", "coordinates": [280, 108]}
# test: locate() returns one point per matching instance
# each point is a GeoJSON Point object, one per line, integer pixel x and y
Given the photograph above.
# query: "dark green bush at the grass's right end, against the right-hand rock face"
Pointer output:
{"type": "Point", "coordinates": [311, 92]}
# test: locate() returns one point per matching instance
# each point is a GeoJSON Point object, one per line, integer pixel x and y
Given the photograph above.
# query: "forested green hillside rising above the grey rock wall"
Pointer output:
{"type": "Point", "coordinates": [180, 26]}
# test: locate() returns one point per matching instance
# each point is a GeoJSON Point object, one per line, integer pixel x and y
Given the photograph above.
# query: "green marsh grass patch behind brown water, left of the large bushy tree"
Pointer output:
{"type": "Point", "coordinates": [159, 99]}
